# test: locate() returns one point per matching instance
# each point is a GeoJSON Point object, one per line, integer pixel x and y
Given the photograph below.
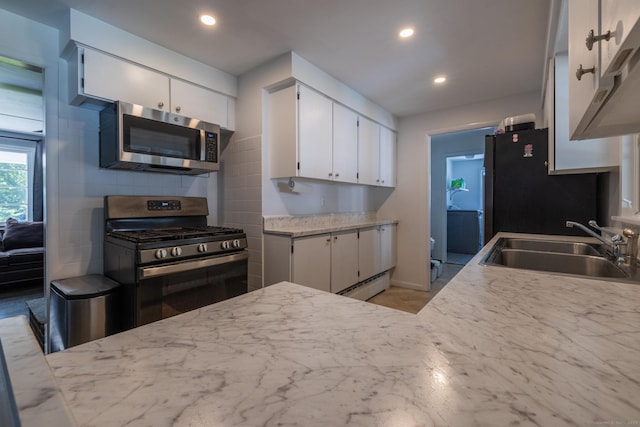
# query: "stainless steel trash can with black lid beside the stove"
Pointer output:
{"type": "Point", "coordinates": [83, 309]}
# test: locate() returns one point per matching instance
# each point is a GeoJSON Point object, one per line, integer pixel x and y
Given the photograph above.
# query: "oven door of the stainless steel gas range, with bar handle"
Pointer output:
{"type": "Point", "coordinates": [170, 289]}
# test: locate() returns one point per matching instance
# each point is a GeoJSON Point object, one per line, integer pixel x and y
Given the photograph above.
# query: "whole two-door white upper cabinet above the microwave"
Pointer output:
{"type": "Point", "coordinates": [97, 76]}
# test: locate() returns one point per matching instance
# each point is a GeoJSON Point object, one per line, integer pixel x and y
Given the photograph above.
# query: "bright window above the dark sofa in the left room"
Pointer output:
{"type": "Point", "coordinates": [16, 179]}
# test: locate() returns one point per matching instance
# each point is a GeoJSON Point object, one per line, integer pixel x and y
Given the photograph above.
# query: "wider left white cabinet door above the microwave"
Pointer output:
{"type": "Point", "coordinates": [114, 79]}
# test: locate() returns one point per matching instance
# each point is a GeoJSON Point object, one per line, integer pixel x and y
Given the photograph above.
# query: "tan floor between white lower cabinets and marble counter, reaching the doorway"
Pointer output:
{"type": "Point", "coordinates": [412, 300]}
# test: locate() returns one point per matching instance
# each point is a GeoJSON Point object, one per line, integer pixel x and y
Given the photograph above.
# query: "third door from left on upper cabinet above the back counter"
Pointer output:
{"type": "Point", "coordinates": [368, 152]}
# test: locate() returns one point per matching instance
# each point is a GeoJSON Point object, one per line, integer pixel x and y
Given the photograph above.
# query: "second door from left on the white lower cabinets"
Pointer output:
{"type": "Point", "coordinates": [344, 260]}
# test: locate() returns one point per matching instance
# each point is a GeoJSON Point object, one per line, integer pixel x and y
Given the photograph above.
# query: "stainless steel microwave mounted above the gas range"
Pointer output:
{"type": "Point", "coordinates": [138, 138]}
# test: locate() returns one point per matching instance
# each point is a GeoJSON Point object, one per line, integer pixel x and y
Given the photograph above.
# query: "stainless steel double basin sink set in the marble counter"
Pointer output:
{"type": "Point", "coordinates": [564, 257]}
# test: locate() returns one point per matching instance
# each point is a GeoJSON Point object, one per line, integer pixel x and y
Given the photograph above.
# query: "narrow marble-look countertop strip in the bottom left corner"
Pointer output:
{"type": "Point", "coordinates": [38, 397]}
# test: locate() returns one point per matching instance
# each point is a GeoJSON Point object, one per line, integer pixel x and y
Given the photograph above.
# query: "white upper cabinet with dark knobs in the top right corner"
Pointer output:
{"type": "Point", "coordinates": [604, 68]}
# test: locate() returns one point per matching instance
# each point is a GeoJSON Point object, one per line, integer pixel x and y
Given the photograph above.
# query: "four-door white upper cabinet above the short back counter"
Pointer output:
{"type": "Point", "coordinates": [312, 136]}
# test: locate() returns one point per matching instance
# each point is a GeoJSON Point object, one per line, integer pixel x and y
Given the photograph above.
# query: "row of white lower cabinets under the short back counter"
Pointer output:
{"type": "Point", "coordinates": [330, 262]}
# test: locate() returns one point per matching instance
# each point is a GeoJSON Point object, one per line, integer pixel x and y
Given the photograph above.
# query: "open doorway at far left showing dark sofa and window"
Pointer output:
{"type": "Point", "coordinates": [21, 188]}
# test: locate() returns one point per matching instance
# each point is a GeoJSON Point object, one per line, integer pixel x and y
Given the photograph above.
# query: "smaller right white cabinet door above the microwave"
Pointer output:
{"type": "Point", "coordinates": [199, 103]}
